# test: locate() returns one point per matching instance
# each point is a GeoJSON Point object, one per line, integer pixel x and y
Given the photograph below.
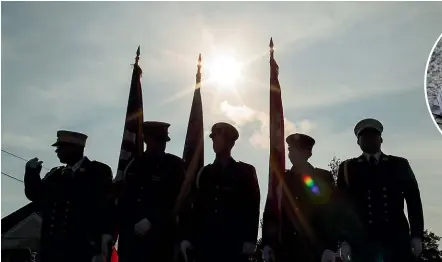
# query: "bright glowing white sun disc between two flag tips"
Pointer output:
{"type": "Point", "coordinates": [224, 70]}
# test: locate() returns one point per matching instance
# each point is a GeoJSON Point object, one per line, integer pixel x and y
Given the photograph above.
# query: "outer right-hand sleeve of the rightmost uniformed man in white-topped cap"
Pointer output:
{"type": "Point", "coordinates": [413, 199]}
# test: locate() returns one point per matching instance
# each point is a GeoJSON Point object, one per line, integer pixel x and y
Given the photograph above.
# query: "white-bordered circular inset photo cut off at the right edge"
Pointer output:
{"type": "Point", "coordinates": [433, 83]}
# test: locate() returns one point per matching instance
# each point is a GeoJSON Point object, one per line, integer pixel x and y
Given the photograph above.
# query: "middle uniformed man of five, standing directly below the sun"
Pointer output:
{"type": "Point", "coordinates": [225, 215]}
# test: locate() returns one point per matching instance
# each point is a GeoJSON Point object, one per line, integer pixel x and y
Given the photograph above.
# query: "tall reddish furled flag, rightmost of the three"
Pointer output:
{"type": "Point", "coordinates": [277, 153]}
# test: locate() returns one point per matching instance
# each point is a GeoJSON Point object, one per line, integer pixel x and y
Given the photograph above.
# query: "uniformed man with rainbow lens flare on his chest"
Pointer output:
{"type": "Point", "coordinates": [306, 230]}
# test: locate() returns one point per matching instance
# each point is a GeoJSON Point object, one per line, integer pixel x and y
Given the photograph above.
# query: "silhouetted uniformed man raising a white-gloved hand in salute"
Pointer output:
{"type": "Point", "coordinates": [75, 201]}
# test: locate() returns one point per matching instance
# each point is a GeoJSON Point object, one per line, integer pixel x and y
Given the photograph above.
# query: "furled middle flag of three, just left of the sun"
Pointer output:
{"type": "Point", "coordinates": [193, 154]}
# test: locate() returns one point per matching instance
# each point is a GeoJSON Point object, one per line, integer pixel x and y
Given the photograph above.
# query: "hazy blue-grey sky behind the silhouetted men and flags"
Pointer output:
{"type": "Point", "coordinates": [68, 66]}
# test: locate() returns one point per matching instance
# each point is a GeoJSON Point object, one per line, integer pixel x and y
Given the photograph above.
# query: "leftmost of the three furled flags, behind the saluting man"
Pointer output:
{"type": "Point", "coordinates": [132, 144]}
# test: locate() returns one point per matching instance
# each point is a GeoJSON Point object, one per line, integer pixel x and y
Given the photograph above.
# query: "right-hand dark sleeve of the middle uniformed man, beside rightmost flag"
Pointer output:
{"type": "Point", "coordinates": [252, 198]}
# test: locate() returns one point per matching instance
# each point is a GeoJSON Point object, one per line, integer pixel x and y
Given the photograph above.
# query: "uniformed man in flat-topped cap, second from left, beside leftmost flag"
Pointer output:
{"type": "Point", "coordinates": [152, 183]}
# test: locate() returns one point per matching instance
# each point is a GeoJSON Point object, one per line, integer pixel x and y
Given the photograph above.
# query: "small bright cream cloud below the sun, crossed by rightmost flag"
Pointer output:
{"type": "Point", "coordinates": [243, 115]}
